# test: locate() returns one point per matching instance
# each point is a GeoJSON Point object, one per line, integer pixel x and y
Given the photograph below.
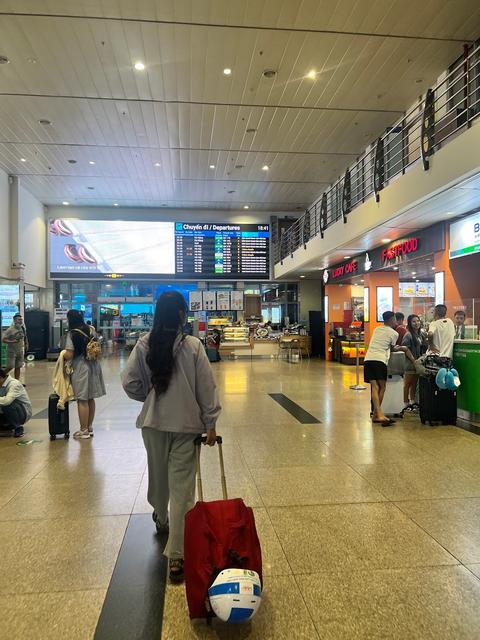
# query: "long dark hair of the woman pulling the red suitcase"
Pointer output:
{"type": "Point", "coordinates": [167, 322]}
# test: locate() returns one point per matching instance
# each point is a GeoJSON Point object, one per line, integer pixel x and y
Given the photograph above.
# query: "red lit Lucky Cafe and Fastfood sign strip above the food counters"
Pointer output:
{"type": "Point", "coordinates": [398, 252]}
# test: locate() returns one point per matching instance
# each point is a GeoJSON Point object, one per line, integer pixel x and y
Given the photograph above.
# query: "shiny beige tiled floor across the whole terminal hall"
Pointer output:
{"type": "Point", "coordinates": [366, 533]}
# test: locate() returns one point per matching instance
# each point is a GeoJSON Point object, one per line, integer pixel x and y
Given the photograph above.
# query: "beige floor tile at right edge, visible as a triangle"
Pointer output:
{"type": "Point", "coordinates": [455, 524]}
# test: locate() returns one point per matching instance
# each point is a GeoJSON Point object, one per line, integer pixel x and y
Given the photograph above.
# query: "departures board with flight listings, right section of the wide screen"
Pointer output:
{"type": "Point", "coordinates": [215, 250]}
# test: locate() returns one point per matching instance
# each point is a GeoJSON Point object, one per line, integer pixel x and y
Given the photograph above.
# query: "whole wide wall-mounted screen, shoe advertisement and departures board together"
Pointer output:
{"type": "Point", "coordinates": [112, 248]}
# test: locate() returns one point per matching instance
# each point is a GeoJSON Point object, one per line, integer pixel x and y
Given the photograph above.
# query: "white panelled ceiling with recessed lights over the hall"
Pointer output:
{"type": "Point", "coordinates": [73, 63]}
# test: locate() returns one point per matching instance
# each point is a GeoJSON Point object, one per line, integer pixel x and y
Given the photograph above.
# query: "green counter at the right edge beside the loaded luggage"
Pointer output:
{"type": "Point", "coordinates": [466, 359]}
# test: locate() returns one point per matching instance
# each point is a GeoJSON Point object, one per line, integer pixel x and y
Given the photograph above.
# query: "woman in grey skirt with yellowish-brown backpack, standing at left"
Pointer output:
{"type": "Point", "coordinates": [87, 377]}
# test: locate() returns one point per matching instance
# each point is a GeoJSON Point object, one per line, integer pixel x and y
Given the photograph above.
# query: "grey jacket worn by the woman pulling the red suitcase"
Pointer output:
{"type": "Point", "coordinates": [190, 404]}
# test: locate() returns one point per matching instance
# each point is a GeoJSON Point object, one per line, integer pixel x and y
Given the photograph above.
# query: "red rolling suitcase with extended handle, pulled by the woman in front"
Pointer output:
{"type": "Point", "coordinates": [218, 535]}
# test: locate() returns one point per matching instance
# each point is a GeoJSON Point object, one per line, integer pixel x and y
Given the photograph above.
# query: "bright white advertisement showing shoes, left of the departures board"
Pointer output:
{"type": "Point", "coordinates": [100, 248]}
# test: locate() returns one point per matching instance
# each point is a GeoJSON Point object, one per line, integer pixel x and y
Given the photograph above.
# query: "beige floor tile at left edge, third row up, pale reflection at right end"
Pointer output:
{"type": "Point", "coordinates": [86, 496]}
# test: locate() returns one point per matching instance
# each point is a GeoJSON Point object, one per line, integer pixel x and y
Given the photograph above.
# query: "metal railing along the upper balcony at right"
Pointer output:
{"type": "Point", "coordinates": [446, 109]}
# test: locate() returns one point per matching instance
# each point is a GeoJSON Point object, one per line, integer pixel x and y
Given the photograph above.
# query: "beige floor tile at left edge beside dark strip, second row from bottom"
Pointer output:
{"type": "Point", "coordinates": [59, 555]}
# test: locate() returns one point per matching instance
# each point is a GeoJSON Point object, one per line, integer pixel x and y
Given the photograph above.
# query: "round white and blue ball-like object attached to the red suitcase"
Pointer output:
{"type": "Point", "coordinates": [235, 595]}
